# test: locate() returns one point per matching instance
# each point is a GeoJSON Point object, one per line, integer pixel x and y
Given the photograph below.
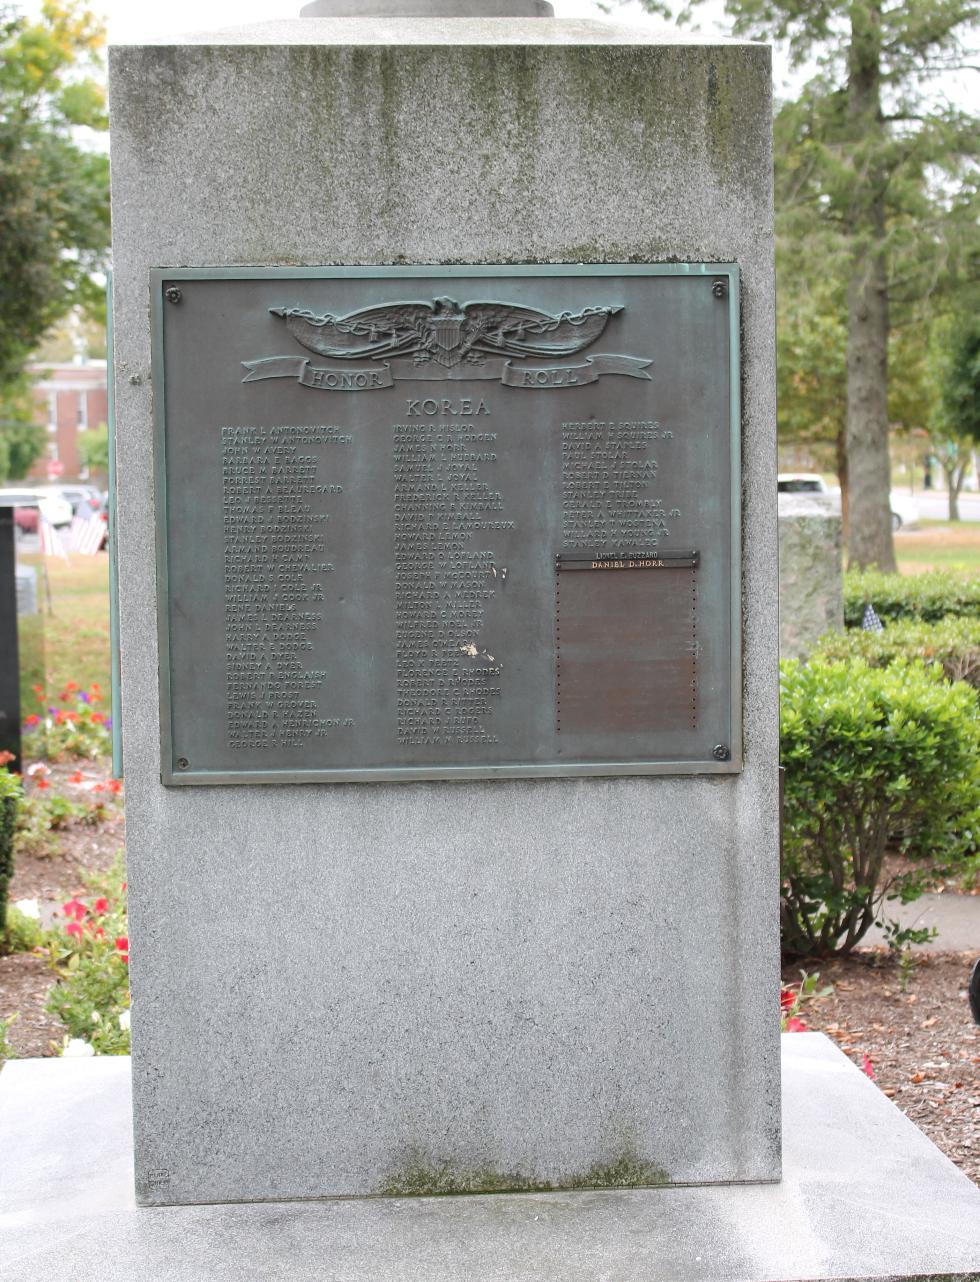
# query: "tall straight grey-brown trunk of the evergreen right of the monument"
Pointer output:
{"type": "Point", "coordinates": [869, 467]}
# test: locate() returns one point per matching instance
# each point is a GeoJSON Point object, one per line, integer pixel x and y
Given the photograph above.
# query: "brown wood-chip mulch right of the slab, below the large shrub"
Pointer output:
{"type": "Point", "coordinates": [919, 1034]}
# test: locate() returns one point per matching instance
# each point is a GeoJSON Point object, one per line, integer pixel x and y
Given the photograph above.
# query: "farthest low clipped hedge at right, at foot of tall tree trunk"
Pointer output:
{"type": "Point", "coordinates": [929, 597]}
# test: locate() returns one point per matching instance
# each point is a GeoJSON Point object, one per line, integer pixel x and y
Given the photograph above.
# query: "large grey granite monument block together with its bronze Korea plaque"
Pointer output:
{"type": "Point", "coordinates": [494, 983]}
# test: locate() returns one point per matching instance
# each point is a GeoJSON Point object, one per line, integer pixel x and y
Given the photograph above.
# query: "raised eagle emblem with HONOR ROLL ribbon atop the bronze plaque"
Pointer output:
{"type": "Point", "coordinates": [444, 340]}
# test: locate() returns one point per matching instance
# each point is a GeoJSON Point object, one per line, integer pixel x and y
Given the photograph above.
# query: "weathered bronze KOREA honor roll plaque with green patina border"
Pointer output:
{"type": "Point", "coordinates": [447, 522]}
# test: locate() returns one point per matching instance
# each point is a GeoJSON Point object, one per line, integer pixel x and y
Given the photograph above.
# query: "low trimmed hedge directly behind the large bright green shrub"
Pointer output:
{"type": "Point", "coordinates": [954, 643]}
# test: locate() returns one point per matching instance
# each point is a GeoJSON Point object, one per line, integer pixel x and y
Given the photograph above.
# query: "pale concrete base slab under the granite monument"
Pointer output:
{"type": "Point", "coordinates": [865, 1195]}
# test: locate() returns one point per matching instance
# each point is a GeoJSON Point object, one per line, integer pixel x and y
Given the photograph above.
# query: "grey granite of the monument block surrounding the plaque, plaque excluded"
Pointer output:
{"type": "Point", "coordinates": [348, 989]}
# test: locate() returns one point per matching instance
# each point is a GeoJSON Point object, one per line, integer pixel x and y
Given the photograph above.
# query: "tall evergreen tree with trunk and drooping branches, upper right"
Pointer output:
{"type": "Point", "coordinates": [877, 180]}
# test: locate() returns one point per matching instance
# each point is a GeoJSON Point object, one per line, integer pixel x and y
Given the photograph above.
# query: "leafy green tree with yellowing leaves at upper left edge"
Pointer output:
{"type": "Point", "coordinates": [55, 193]}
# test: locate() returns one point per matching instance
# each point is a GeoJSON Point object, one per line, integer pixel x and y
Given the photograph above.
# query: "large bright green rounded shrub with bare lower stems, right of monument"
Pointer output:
{"type": "Point", "coordinates": [874, 760]}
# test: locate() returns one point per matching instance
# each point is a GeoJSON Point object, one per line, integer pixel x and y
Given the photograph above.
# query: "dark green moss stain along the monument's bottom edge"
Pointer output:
{"type": "Point", "coordinates": [424, 1176]}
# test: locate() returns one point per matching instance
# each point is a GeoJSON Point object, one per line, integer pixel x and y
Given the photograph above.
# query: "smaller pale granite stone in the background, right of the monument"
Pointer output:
{"type": "Point", "coordinates": [811, 585]}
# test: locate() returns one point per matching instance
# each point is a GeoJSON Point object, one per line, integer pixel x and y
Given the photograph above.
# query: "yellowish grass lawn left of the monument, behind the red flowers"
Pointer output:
{"type": "Point", "coordinates": [71, 643]}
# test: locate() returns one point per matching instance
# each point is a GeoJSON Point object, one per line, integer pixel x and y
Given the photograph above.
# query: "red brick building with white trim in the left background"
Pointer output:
{"type": "Point", "coordinates": [71, 398]}
